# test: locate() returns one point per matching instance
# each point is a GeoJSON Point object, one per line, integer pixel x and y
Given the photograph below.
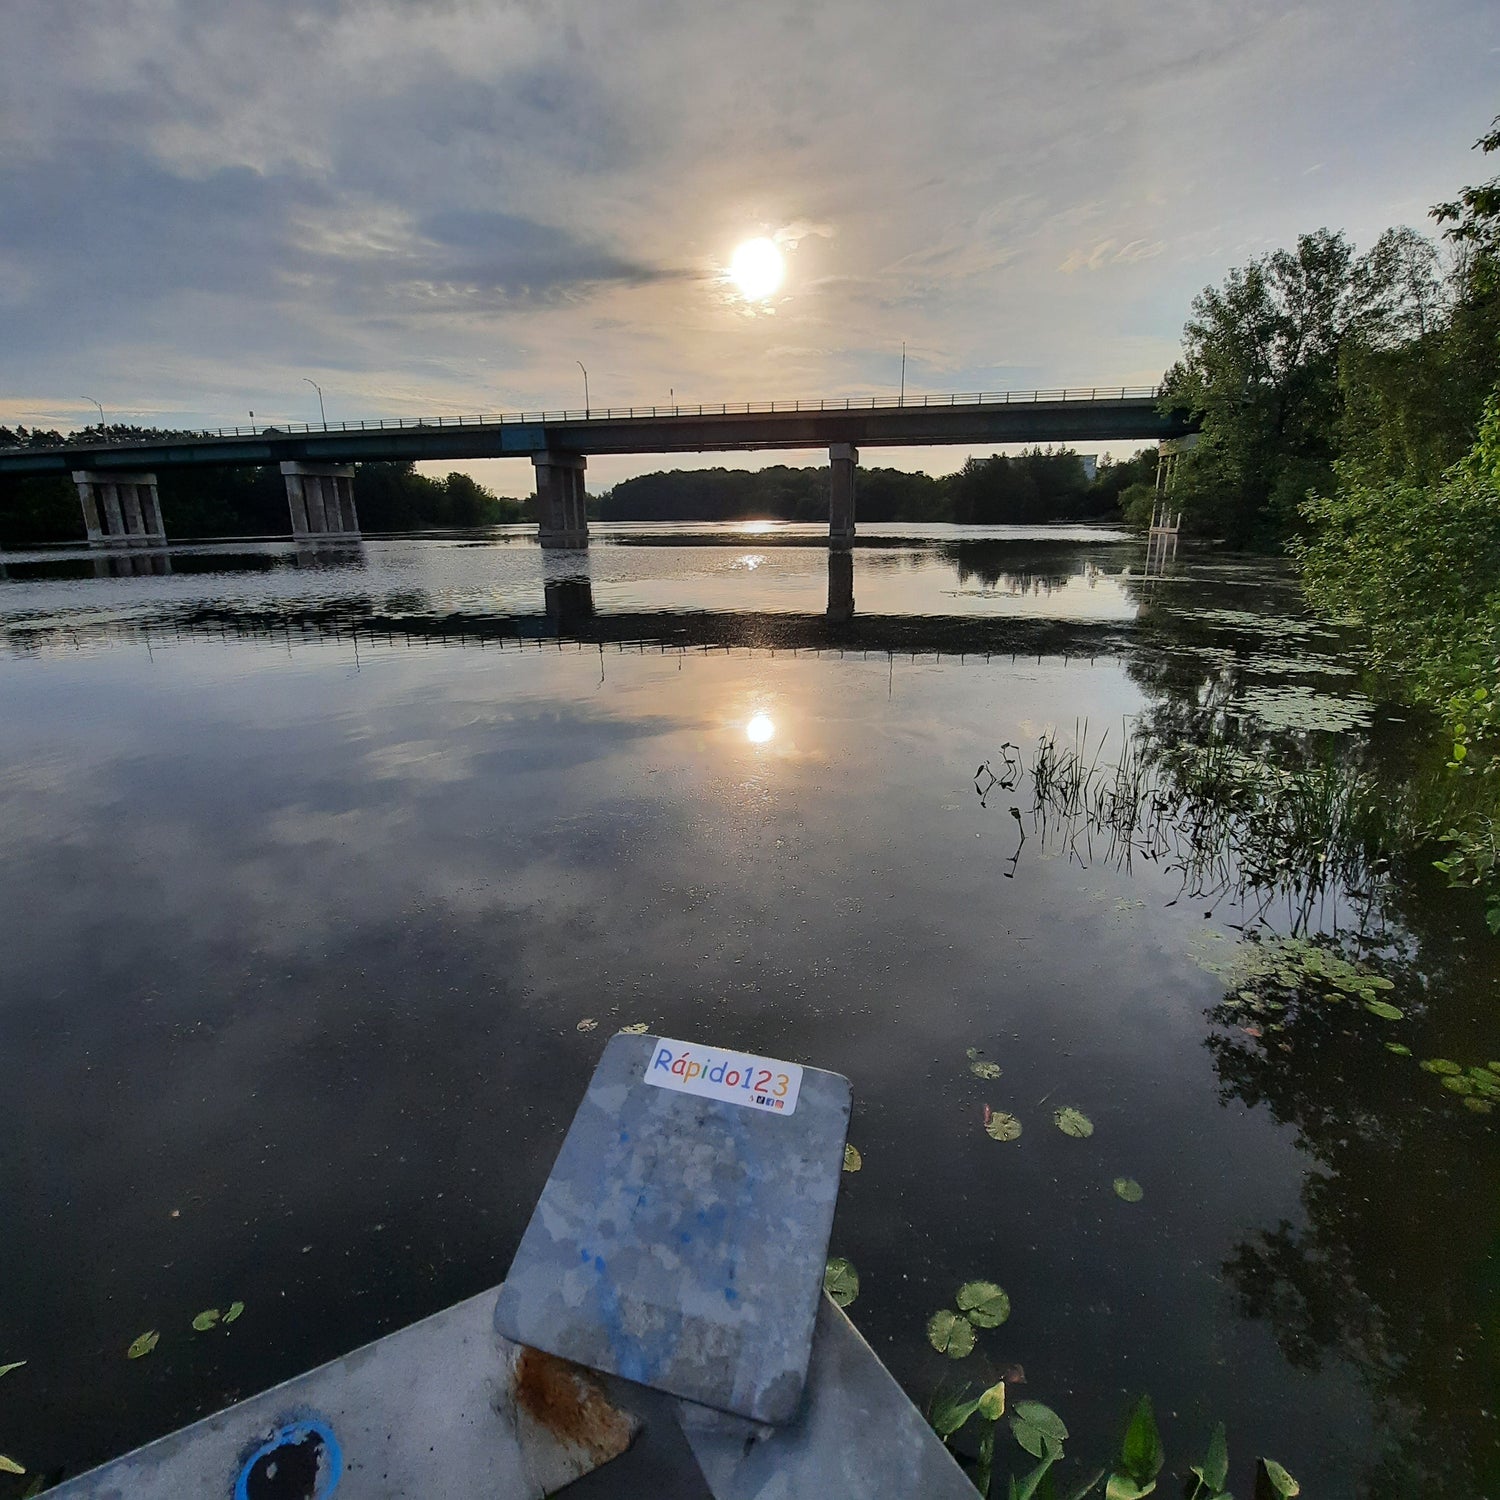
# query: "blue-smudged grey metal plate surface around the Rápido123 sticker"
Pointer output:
{"type": "Point", "coordinates": [680, 1243]}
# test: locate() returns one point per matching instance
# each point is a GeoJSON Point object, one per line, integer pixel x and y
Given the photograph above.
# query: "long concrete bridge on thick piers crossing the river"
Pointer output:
{"type": "Point", "coordinates": [118, 479]}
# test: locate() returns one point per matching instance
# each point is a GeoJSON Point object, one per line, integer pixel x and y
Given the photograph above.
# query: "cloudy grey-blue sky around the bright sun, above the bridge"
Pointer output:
{"type": "Point", "coordinates": [440, 206]}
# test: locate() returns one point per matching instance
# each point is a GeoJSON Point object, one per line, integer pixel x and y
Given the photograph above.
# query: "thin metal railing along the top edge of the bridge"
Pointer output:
{"type": "Point", "coordinates": [587, 415]}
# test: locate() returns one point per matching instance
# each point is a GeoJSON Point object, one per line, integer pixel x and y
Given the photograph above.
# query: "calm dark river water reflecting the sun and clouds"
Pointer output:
{"type": "Point", "coordinates": [326, 875]}
